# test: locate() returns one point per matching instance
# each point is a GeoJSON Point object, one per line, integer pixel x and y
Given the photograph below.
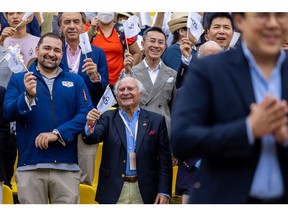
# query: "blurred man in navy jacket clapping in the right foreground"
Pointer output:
{"type": "Point", "coordinates": [233, 115]}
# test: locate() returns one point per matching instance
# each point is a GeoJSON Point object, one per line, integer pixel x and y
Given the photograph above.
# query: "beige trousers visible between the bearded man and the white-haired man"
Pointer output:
{"type": "Point", "coordinates": [86, 160]}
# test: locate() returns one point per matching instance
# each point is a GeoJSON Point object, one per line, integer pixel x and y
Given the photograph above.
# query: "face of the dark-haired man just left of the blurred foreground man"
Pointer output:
{"type": "Point", "coordinates": [221, 31]}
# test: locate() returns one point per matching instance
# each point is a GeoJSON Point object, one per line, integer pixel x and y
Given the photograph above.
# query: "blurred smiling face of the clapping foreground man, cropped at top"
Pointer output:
{"type": "Point", "coordinates": [263, 33]}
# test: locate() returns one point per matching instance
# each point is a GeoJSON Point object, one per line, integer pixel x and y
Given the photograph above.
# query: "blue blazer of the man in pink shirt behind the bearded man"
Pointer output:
{"type": "Point", "coordinates": [98, 56]}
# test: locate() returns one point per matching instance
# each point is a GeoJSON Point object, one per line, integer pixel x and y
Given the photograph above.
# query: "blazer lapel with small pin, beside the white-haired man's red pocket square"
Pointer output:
{"type": "Point", "coordinates": [143, 124]}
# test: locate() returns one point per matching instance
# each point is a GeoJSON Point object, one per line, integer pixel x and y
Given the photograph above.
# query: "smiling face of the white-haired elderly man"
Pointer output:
{"type": "Point", "coordinates": [128, 94]}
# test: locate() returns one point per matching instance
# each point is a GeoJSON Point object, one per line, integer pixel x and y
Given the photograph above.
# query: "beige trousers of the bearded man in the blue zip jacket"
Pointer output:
{"type": "Point", "coordinates": [35, 186]}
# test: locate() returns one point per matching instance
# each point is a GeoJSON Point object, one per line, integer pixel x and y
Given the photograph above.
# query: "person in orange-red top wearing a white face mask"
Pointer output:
{"type": "Point", "coordinates": [104, 33]}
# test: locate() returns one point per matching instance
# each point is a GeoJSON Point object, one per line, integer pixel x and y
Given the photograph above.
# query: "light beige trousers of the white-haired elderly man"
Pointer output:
{"type": "Point", "coordinates": [130, 194]}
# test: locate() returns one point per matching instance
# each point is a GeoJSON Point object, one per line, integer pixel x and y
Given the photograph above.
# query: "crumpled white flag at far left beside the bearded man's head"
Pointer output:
{"type": "Point", "coordinates": [14, 58]}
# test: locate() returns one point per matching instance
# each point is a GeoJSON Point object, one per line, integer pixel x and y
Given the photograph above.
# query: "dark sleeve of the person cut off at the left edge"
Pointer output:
{"type": "Point", "coordinates": [4, 134]}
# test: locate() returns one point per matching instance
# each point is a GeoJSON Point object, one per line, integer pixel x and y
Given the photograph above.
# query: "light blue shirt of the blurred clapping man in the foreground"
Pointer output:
{"type": "Point", "coordinates": [267, 182]}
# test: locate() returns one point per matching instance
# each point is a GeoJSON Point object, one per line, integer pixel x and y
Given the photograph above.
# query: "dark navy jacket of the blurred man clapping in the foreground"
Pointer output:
{"type": "Point", "coordinates": [209, 123]}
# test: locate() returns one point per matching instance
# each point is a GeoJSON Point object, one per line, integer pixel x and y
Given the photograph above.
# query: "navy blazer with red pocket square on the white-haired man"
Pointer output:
{"type": "Point", "coordinates": [153, 157]}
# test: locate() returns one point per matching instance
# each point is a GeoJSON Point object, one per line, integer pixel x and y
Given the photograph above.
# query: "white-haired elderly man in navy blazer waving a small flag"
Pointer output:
{"type": "Point", "coordinates": [136, 164]}
